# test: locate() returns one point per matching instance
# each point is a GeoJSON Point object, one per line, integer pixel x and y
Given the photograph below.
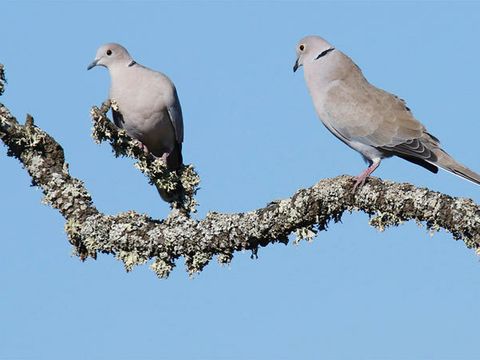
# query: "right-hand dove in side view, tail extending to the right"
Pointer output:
{"type": "Point", "coordinates": [371, 121]}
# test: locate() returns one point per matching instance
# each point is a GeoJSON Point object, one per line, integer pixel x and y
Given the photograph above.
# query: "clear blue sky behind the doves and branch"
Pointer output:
{"type": "Point", "coordinates": [251, 131]}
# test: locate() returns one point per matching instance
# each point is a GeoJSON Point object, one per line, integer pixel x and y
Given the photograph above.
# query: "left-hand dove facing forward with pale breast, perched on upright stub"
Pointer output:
{"type": "Point", "coordinates": [148, 105]}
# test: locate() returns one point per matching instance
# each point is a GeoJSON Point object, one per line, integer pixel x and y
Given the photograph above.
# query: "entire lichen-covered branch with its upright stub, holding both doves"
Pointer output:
{"type": "Point", "coordinates": [136, 239]}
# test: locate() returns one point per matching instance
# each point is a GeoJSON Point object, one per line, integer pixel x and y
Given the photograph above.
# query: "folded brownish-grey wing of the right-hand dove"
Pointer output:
{"type": "Point", "coordinates": [379, 119]}
